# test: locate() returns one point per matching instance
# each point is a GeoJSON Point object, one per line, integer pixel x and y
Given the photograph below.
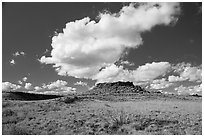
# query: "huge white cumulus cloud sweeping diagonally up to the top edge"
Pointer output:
{"type": "Point", "coordinates": [86, 46]}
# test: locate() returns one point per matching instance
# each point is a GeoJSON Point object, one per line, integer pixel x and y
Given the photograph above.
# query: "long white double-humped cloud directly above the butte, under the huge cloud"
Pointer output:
{"type": "Point", "coordinates": [143, 73]}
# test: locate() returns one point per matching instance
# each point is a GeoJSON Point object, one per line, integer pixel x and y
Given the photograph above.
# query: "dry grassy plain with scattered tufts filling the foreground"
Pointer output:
{"type": "Point", "coordinates": [110, 115]}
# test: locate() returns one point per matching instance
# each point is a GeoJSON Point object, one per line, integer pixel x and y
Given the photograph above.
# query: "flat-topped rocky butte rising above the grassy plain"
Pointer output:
{"type": "Point", "coordinates": [117, 88]}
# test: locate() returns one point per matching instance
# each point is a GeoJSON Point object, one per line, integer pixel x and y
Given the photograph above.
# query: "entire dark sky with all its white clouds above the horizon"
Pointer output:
{"type": "Point", "coordinates": [60, 48]}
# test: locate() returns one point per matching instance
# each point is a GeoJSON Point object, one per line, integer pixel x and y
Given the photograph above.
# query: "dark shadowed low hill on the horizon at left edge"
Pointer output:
{"type": "Point", "coordinates": [27, 96]}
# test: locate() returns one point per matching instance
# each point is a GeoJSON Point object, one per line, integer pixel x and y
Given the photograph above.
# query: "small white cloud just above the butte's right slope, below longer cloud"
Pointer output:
{"type": "Point", "coordinates": [160, 84]}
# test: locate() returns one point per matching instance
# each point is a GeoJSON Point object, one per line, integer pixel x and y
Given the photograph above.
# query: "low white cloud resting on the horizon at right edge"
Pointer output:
{"type": "Point", "coordinates": [197, 89]}
